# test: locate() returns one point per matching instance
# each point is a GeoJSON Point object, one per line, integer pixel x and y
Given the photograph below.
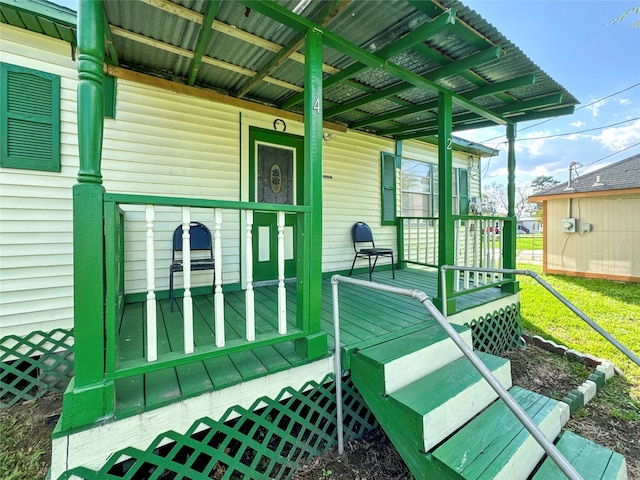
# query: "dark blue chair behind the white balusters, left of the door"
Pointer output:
{"type": "Point", "coordinates": [200, 241]}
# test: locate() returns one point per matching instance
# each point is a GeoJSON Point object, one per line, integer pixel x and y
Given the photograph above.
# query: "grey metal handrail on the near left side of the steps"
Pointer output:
{"type": "Point", "coordinates": [422, 297]}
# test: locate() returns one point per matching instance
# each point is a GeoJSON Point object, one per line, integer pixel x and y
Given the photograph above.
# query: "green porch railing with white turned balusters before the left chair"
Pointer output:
{"type": "Point", "coordinates": [141, 223]}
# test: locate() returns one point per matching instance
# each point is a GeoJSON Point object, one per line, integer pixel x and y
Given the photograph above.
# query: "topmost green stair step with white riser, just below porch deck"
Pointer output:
{"type": "Point", "coordinates": [405, 359]}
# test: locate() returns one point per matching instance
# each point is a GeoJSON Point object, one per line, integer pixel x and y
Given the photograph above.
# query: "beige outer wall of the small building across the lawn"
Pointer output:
{"type": "Point", "coordinates": [611, 248]}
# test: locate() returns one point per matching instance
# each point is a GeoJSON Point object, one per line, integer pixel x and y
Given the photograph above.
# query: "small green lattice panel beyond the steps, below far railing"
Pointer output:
{"type": "Point", "coordinates": [498, 331]}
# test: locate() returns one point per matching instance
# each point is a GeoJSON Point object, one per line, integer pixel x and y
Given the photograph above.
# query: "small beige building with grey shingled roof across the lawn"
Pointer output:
{"type": "Point", "coordinates": [591, 228]}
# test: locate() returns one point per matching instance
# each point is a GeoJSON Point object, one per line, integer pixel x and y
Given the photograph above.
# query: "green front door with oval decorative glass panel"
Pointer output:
{"type": "Point", "coordinates": [276, 177]}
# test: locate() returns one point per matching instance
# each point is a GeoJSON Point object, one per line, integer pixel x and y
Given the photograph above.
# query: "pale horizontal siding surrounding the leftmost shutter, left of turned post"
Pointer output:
{"type": "Point", "coordinates": [36, 263]}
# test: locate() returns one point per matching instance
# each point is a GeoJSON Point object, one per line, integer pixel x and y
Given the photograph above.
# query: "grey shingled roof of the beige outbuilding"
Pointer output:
{"type": "Point", "coordinates": [618, 177]}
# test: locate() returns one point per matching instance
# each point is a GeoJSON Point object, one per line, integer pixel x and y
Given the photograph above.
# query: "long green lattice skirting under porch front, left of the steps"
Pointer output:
{"type": "Point", "coordinates": [271, 439]}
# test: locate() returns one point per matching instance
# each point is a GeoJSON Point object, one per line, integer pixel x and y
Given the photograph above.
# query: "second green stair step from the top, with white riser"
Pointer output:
{"type": "Point", "coordinates": [443, 401]}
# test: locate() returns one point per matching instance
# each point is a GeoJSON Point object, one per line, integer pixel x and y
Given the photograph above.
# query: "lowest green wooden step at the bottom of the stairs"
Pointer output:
{"type": "Point", "coordinates": [592, 461]}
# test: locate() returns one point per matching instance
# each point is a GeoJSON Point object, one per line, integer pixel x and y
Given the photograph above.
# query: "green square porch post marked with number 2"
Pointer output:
{"type": "Point", "coordinates": [446, 247]}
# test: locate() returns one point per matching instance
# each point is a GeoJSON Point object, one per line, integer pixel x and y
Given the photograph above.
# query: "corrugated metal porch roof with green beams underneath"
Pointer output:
{"type": "Point", "coordinates": [384, 63]}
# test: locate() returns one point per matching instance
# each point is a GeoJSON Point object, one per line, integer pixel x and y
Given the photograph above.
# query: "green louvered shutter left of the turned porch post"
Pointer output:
{"type": "Point", "coordinates": [29, 119]}
